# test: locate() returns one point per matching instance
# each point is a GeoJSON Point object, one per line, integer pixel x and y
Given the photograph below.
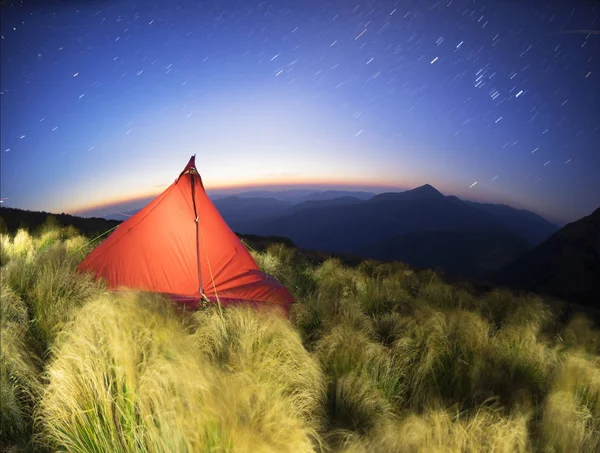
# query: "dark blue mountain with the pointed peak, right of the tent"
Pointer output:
{"type": "Point", "coordinates": [421, 226]}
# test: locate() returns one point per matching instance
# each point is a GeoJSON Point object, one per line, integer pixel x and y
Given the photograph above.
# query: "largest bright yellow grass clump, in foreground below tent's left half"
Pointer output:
{"type": "Point", "coordinates": [124, 377]}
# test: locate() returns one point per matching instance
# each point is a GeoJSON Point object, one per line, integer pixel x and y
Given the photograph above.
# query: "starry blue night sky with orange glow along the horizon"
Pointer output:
{"type": "Point", "coordinates": [106, 100]}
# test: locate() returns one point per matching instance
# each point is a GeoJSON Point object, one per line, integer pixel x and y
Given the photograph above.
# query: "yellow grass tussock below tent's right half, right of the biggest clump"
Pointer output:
{"type": "Point", "coordinates": [265, 346]}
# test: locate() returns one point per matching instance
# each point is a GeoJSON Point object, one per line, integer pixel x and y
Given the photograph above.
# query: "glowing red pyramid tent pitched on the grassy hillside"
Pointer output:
{"type": "Point", "coordinates": [180, 245]}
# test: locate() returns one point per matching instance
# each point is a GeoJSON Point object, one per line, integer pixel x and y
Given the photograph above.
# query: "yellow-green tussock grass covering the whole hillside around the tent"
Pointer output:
{"type": "Point", "coordinates": [374, 358]}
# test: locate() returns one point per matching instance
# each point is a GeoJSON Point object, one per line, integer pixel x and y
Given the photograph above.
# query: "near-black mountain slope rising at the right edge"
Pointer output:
{"type": "Point", "coordinates": [567, 265]}
